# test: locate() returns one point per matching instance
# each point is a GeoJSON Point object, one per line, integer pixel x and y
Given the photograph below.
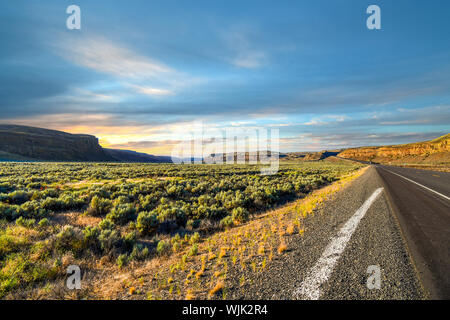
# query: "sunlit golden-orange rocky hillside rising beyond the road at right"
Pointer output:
{"type": "Point", "coordinates": [435, 151]}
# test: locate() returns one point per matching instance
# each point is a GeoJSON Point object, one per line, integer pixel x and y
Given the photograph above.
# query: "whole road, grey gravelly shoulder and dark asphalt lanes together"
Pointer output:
{"type": "Point", "coordinates": [391, 221]}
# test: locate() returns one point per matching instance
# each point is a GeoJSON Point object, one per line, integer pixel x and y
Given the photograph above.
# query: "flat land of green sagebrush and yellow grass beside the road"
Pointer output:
{"type": "Point", "coordinates": [155, 231]}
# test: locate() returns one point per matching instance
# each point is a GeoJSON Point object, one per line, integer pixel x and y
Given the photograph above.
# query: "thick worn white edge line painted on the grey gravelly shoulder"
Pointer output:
{"type": "Point", "coordinates": [310, 287]}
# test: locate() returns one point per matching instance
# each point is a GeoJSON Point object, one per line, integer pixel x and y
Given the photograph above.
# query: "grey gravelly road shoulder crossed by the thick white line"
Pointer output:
{"type": "Point", "coordinates": [331, 259]}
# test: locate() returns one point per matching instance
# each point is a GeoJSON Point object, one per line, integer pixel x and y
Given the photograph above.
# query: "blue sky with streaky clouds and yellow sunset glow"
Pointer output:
{"type": "Point", "coordinates": [138, 74]}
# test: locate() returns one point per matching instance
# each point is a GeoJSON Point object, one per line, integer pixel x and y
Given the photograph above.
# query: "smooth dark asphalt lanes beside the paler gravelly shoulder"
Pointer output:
{"type": "Point", "coordinates": [424, 215]}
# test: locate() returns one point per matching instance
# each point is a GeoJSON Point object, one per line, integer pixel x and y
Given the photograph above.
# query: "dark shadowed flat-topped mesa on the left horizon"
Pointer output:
{"type": "Point", "coordinates": [23, 143]}
